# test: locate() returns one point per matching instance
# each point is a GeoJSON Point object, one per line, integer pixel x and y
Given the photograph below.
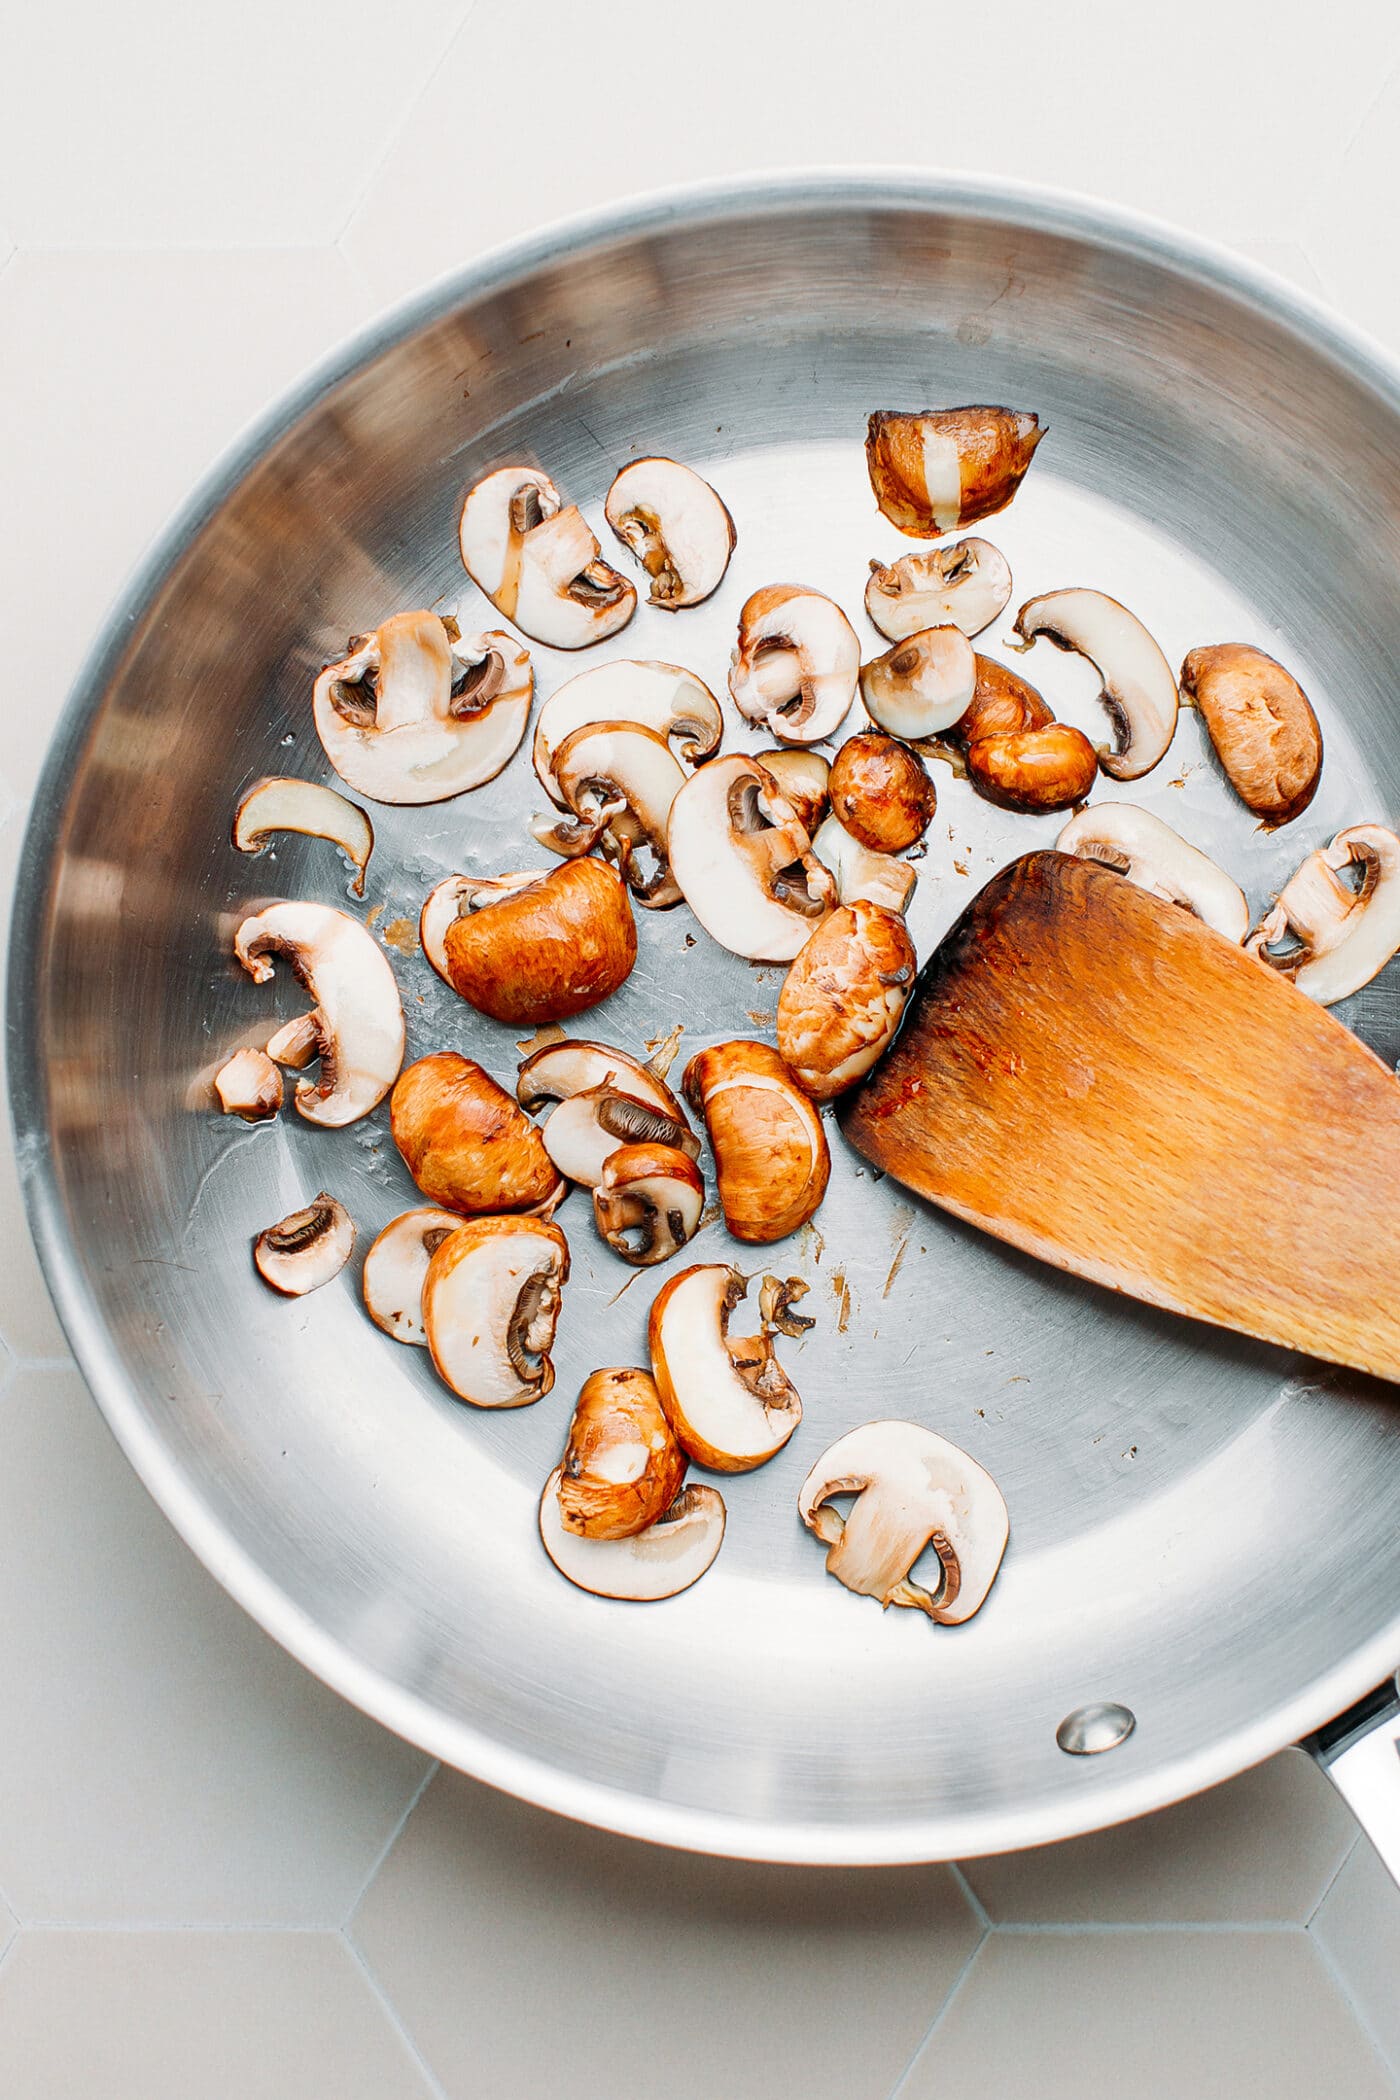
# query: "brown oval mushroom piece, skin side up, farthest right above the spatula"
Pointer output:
{"type": "Point", "coordinates": [1263, 728]}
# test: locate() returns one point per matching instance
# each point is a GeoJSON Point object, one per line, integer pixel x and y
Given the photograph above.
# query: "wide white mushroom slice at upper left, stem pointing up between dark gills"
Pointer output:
{"type": "Point", "coordinates": [417, 713]}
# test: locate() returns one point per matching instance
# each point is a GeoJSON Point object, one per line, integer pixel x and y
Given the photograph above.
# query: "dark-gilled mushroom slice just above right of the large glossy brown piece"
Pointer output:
{"type": "Point", "coordinates": [620, 782]}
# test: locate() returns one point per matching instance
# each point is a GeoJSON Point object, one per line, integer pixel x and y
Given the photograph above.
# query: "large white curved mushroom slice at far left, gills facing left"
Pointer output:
{"type": "Point", "coordinates": [358, 1015]}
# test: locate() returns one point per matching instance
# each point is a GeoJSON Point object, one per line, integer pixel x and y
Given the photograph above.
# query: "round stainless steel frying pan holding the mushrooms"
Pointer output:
{"type": "Point", "coordinates": [1204, 1532]}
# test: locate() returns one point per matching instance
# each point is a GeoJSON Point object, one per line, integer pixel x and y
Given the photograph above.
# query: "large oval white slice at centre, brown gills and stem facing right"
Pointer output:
{"type": "Point", "coordinates": [744, 862]}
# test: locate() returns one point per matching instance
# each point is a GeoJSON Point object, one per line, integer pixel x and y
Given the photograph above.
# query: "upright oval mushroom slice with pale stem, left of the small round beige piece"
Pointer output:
{"type": "Point", "coordinates": [797, 663]}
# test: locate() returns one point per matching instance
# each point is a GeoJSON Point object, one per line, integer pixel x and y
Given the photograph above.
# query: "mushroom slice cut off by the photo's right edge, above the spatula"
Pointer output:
{"type": "Point", "coordinates": [1342, 936]}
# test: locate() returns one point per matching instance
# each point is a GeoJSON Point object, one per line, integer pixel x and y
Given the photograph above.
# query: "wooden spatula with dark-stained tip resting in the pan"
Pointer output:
{"type": "Point", "coordinates": [1116, 1089]}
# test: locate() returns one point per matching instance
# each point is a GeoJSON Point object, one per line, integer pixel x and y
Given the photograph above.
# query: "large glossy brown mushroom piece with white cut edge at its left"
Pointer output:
{"type": "Point", "coordinates": [534, 946]}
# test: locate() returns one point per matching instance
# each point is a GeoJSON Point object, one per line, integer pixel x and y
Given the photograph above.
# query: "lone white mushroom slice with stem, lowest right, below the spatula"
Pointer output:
{"type": "Point", "coordinates": [912, 1490]}
